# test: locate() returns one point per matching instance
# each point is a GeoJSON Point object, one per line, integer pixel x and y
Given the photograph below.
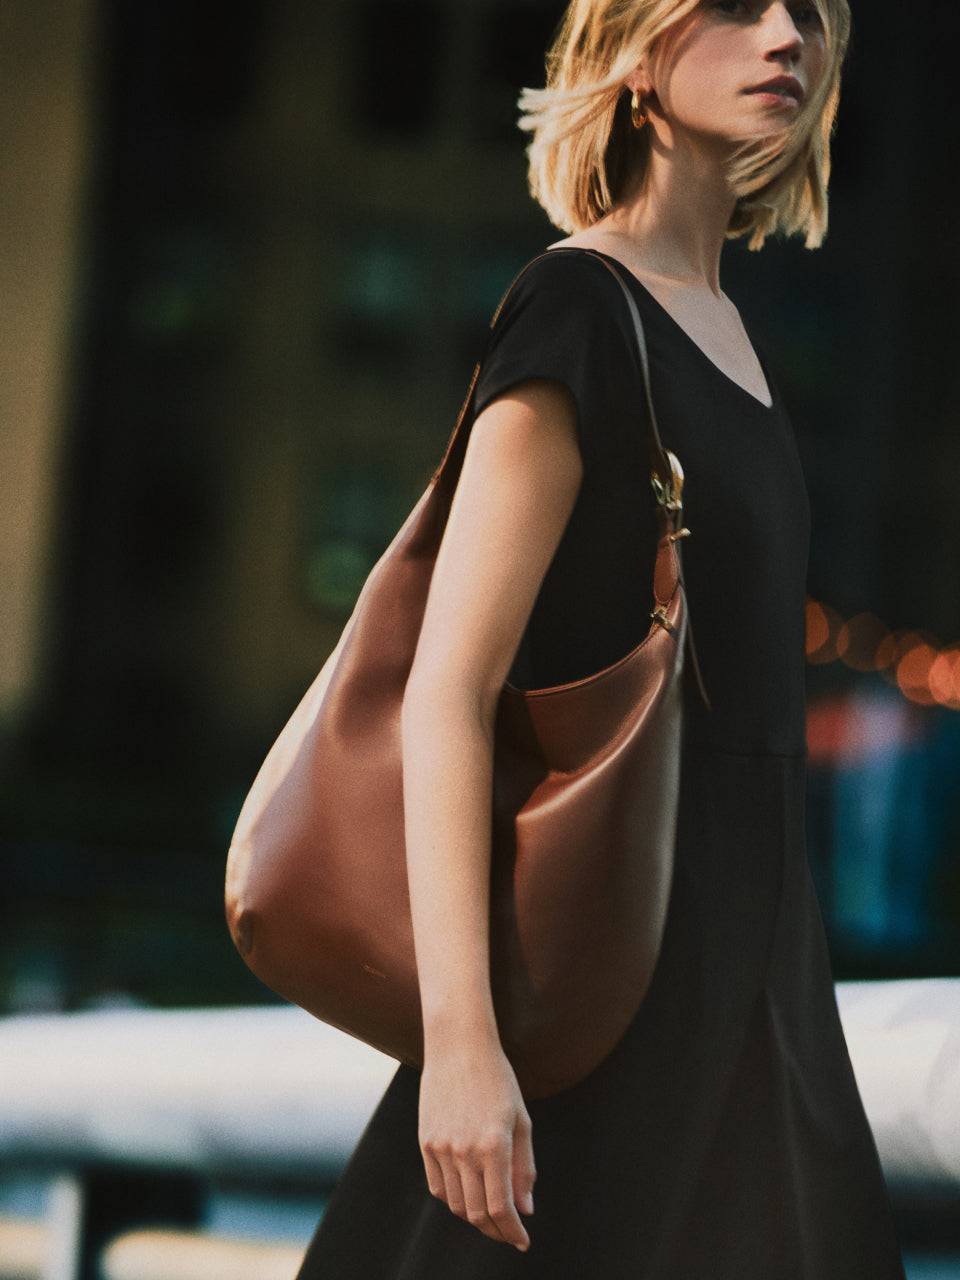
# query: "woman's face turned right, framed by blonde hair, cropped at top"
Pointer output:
{"type": "Point", "coordinates": [739, 70]}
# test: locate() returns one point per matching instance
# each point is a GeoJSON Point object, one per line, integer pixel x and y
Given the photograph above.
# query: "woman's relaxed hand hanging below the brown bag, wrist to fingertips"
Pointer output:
{"type": "Point", "coordinates": [476, 1139]}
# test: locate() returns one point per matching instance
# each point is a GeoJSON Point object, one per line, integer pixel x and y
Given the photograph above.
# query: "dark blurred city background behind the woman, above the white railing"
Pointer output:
{"type": "Point", "coordinates": [249, 255]}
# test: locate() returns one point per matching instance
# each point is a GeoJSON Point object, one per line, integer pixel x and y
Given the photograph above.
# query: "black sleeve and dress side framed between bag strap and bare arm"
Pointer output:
{"type": "Point", "coordinates": [566, 321]}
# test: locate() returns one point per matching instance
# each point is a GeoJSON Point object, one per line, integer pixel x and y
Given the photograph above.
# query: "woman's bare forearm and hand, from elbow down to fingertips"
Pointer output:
{"type": "Point", "coordinates": [474, 1130]}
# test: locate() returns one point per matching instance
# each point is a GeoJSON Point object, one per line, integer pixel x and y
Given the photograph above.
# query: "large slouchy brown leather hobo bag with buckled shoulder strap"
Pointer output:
{"type": "Point", "coordinates": [583, 820]}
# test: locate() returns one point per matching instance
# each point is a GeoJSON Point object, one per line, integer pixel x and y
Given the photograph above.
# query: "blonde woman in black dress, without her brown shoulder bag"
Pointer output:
{"type": "Point", "coordinates": [725, 1136]}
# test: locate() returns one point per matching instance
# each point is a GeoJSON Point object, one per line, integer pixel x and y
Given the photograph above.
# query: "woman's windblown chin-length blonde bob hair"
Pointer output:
{"type": "Point", "coordinates": [584, 152]}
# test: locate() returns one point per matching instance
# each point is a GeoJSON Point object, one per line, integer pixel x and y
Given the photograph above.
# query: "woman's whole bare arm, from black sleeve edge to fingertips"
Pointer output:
{"type": "Point", "coordinates": [520, 481]}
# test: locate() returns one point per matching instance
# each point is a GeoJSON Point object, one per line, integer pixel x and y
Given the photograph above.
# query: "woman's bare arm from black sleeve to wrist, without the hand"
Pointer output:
{"type": "Point", "coordinates": [520, 479]}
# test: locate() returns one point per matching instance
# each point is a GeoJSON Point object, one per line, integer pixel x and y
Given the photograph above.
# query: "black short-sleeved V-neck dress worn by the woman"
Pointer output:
{"type": "Point", "coordinates": [725, 1139]}
